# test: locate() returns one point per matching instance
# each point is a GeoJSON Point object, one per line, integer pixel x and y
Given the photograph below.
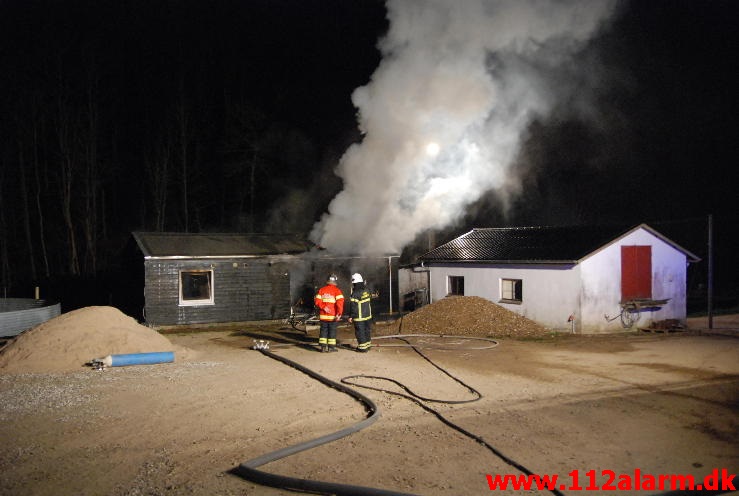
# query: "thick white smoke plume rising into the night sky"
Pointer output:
{"type": "Point", "coordinates": [443, 113]}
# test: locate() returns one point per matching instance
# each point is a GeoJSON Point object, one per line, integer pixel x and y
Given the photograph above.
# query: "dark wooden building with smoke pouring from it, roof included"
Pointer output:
{"type": "Point", "coordinates": [210, 278]}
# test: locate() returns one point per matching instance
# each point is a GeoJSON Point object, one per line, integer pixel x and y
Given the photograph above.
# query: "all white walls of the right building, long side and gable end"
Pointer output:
{"type": "Point", "coordinates": [590, 291]}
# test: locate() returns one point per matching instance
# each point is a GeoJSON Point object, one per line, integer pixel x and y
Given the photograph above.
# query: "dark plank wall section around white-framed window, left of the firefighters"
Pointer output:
{"type": "Point", "coordinates": [243, 290]}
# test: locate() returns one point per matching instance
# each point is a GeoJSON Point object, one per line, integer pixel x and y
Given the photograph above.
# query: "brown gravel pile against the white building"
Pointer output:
{"type": "Point", "coordinates": [470, 316]}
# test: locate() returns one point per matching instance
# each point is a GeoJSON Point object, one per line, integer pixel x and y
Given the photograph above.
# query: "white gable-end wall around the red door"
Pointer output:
{"type": "Point", "coordinates": [601, 284]}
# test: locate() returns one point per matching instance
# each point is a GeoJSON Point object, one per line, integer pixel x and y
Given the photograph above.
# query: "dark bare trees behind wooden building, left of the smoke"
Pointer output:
{"type": "Point", "coordinates": [105, 134]}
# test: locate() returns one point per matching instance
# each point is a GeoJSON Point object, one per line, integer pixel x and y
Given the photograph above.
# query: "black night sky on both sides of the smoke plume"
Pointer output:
{"type": "Point", "coordinates": [666, 147]}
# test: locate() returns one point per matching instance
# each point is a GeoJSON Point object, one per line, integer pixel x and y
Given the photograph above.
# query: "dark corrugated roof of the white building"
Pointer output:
{"type": "Point", "coordinates": [545, 244]}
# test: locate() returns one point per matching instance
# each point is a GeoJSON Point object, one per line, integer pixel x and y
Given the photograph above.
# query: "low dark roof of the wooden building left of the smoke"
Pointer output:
{"type": "Point", "coordinates": [208, 245]}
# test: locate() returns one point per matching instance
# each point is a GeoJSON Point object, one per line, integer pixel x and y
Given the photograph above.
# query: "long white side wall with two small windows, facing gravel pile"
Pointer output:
{"type": "Point", "coordinates": [550, 292]}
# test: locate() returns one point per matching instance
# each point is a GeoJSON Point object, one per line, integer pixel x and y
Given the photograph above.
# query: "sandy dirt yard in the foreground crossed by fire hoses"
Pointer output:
{"type": "Point", "coordinates": [663, 404]}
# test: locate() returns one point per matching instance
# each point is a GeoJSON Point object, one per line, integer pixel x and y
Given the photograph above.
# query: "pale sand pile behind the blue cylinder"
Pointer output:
{"type": "Point", "coordinates": [69, 341]}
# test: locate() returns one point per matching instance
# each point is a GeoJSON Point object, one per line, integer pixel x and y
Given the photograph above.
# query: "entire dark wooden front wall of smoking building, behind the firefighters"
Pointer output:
{"type": "Point", "coordinates": [263, 288]}
